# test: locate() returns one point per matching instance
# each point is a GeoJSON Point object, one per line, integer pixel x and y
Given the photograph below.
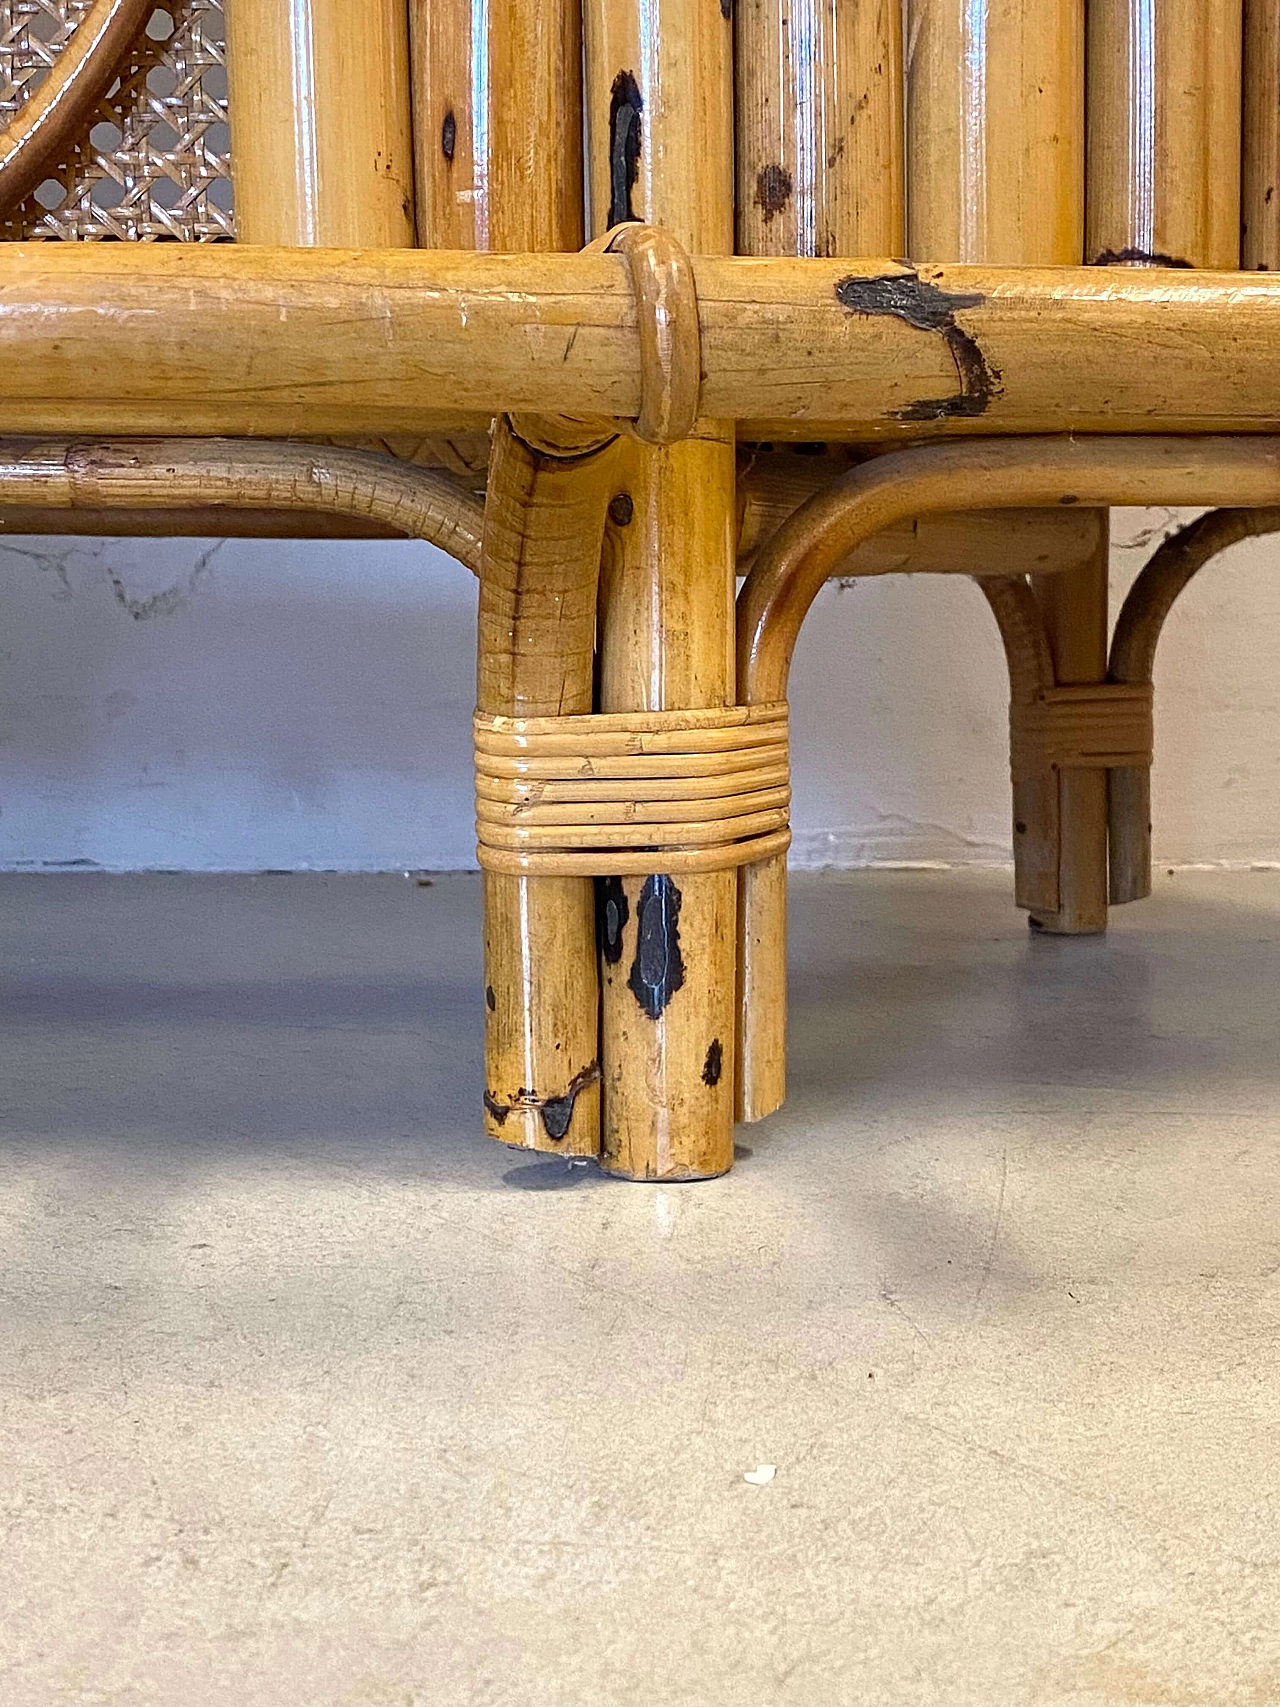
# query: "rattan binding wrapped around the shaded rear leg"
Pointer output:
{"type": "Point", "coordinates": [1095, 728]}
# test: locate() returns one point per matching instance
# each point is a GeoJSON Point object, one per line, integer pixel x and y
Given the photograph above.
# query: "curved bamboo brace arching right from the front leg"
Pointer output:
{"type": "Point", "coordinates": [796, 562]}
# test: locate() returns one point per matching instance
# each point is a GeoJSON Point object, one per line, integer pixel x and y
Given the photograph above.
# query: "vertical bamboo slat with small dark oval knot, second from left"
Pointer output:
{"type": "Point", "coordinates": [497, 132]}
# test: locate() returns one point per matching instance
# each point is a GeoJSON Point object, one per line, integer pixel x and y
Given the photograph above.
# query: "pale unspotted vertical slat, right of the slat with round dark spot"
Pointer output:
{"type": "Point", "coordinates": [996, 131]}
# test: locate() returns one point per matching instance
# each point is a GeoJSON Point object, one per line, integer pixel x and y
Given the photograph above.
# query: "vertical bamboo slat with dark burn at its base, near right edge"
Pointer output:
{"type": "Point", "coordinates": [1165, 132]}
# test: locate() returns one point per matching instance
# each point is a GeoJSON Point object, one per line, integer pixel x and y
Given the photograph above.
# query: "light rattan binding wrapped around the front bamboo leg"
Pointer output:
{"type": "Point", "coordinates": [632, 793]}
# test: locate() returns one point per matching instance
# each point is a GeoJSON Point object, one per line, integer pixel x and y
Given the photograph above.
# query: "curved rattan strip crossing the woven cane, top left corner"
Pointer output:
{"type": "Point", "coordinates": [49, 124]}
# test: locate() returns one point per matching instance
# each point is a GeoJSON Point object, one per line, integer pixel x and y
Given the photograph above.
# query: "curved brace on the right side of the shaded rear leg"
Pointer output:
{"type": "Point", "coordinates": [1137, 636]}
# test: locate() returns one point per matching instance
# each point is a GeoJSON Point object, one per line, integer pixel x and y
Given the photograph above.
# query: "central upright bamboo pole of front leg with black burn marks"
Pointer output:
{"type": "Point", "coordinates": [661, 148]}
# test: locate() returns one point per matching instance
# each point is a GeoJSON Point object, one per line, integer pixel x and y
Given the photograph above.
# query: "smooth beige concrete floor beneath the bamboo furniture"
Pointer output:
{"type": "Point", "coordinates": [313, 1397]}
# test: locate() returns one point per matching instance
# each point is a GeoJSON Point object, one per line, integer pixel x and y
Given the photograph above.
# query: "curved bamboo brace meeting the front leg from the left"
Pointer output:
{"type": "Point", "coordinates": [238, 475]}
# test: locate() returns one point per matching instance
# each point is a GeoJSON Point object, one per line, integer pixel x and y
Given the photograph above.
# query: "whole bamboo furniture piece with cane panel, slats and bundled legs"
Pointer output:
{"type": "Point", "coordinates": [595, 296]}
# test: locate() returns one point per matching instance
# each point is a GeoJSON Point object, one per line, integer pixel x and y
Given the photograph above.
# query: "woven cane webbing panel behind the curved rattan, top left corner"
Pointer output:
{"type": "Point", "coordinates": [154, 165]}
